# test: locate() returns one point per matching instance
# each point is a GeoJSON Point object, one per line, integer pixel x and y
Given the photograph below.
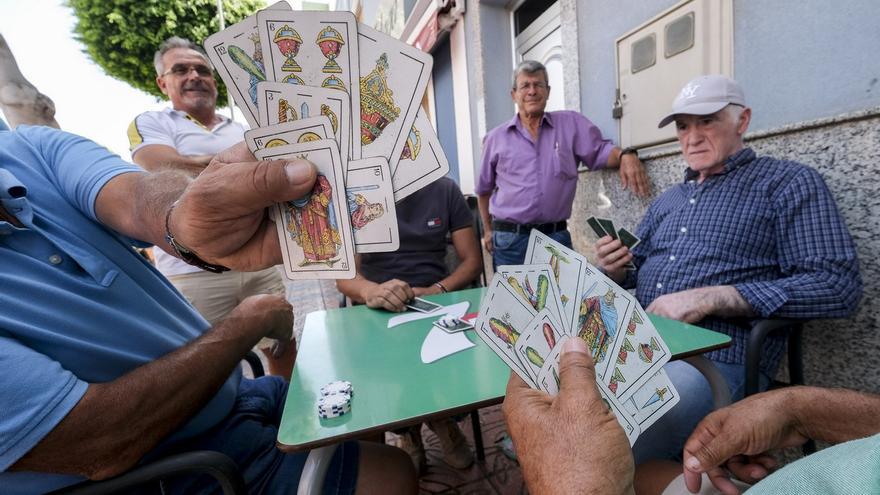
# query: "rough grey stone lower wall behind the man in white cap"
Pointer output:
{"type": "Point", "coordinates": [846, 152]}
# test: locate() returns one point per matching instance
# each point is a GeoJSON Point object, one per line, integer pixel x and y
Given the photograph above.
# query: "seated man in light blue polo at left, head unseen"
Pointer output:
{"type": "Point", "coordinates": [102, 363]}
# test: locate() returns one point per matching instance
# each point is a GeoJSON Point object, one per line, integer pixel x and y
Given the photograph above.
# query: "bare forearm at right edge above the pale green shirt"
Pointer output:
{"type": "Point", "coordinates": [835, 415]}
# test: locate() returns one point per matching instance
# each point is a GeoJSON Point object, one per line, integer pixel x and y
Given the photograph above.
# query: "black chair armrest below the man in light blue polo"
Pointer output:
{"type": "Point", "coordinates": [218, 465]}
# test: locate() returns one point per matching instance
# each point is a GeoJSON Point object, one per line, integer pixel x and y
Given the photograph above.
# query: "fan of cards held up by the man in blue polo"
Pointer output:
{"type": "Point", "coordinates": [320, 86]}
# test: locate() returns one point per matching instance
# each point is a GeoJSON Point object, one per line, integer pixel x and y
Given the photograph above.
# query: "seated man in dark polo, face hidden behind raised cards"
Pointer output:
{"type": "Point", "coordinates": [389, 280]}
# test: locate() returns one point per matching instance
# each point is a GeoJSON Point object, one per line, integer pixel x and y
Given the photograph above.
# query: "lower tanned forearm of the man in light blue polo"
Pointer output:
{"type": "Point", "coordinates": [117, 422]}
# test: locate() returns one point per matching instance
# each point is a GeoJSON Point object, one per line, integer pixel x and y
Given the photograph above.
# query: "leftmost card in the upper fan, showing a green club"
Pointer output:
{"type": "Point", "coordinates": [237, 56]}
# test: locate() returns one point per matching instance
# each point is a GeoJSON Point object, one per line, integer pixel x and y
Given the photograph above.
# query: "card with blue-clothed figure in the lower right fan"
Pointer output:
{"type": "Point", "coordinates": [604, 309]}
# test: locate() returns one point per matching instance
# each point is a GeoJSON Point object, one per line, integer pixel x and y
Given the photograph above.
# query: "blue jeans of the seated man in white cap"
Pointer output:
{"type": "Point", "coordinates": [665, 439]}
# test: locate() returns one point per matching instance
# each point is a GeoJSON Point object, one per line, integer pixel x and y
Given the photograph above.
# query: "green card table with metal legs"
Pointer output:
{"type": "Point", "coordinates": [394, 389]}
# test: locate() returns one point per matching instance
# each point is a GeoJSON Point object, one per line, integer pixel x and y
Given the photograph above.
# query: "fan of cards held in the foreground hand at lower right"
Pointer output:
{"type": "Point", "coordinates": [530, 310]}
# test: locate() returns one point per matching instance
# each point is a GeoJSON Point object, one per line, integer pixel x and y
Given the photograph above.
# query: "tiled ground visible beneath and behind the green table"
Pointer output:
{"type": "Point", "coordinates": [496, 475]}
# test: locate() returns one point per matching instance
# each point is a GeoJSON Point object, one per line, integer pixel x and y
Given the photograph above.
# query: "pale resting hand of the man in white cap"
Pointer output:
{"type": "Point", "coordinates": [691, 306]}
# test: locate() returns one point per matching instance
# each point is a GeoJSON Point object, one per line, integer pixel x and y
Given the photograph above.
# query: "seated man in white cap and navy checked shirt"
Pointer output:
{"type": "Point", "coordinates": [742, 237]}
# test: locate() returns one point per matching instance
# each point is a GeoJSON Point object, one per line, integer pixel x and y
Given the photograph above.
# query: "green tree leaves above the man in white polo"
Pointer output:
{"type": "Point", "coordinates": [121, 36]}
